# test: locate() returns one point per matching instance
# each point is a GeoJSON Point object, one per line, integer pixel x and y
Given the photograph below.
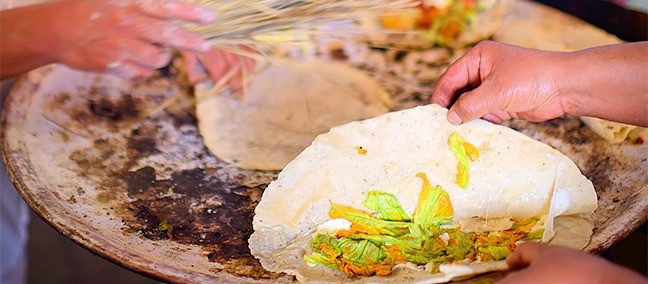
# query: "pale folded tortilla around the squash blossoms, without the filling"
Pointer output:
{"type": "Point", "coordinates": [515, 177]}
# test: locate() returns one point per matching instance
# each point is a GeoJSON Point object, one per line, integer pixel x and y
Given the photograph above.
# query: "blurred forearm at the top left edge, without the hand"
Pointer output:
{"type": "Point", "coordinates": [26, 44]}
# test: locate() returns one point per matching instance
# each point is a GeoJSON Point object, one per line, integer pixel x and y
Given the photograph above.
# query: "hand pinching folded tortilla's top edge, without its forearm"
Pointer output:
{"type": "Point", "coordinates": [498, 82]}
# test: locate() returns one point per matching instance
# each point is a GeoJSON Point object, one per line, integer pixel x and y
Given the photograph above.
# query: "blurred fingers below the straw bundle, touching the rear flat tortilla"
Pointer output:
{"type": "Point", "coordinates": [219, 66]}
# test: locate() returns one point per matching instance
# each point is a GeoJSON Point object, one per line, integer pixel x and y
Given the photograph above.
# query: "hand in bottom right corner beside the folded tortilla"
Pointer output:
{"type": "Point", "coordinates": [542, 263]}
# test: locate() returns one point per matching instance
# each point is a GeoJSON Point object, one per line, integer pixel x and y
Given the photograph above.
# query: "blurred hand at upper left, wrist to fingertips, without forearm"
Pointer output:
{"type": "Point", "coordinates": [122, 37]}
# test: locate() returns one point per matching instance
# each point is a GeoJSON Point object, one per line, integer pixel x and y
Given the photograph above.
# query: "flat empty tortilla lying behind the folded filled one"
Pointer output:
{"type": "Point", "coordinates": [283, 109]}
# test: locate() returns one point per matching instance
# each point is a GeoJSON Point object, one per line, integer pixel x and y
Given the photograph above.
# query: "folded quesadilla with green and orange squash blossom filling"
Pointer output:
{"type": "Point", "coordinates": [408, 196]}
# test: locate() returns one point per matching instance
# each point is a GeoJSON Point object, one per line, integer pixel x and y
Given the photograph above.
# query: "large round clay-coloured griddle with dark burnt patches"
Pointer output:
{"type": "Point", "coordinates": [120, 167]}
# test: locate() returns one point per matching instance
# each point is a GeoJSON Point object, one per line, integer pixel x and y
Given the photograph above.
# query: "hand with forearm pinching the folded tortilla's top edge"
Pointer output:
{"type": "Point", "coordinates": [506, 82]}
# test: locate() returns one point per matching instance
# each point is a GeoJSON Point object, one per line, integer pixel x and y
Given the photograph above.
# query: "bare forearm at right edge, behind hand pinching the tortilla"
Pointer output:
{"type": "Point", "coordinates": [609, 82]}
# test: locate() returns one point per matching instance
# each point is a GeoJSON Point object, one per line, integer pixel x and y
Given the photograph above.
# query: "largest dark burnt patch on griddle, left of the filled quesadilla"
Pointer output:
{"type": "Point", "coordinates": [202, 209]}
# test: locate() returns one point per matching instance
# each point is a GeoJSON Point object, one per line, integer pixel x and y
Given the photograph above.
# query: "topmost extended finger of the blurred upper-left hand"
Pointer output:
{"type": "Point", "coordinates": [177, 10]}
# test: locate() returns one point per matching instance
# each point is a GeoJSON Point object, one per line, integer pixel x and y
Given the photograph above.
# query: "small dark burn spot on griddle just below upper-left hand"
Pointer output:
{"type": "Point", "coordinates": [124, 109]}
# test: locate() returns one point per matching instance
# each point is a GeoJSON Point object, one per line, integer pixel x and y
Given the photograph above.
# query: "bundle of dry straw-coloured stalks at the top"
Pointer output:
{"type": "Point", "coordinates": [263, 22]}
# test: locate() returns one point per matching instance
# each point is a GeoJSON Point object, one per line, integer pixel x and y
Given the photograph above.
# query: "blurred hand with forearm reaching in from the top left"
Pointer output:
{"type": "Point", "coordinates": [126, 38]}
